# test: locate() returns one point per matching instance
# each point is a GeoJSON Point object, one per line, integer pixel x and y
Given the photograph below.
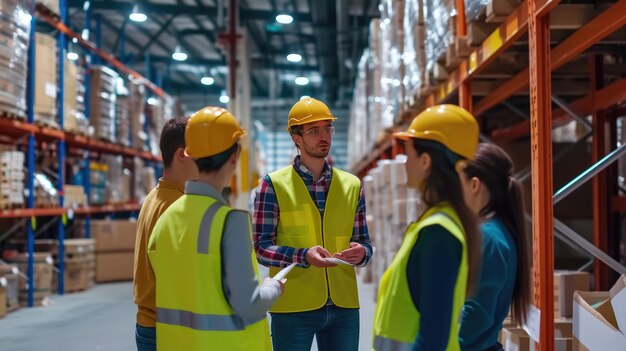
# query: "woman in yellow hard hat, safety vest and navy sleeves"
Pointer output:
{"type": "Point", "coordinates": [422, 292]}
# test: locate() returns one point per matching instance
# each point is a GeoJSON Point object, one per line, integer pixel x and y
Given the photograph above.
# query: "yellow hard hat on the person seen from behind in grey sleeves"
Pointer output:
{"type": "Point", "coordinates": [210, 131]}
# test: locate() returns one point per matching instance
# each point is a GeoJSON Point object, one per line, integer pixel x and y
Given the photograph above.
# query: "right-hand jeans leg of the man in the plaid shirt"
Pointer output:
{"type": "Point", "coordinates": [341, 330]}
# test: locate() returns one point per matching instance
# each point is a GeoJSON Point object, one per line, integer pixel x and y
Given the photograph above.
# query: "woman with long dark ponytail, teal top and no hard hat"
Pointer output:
{"type": "Point", "coordinates": [496, 197]}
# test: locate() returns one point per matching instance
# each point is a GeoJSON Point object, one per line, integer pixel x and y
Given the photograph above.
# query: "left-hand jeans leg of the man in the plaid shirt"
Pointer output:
{"type": "Point", "coordinates": [295, 331]}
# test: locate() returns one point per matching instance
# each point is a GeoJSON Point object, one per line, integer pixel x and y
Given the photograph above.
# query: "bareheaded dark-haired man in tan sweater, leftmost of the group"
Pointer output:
{"type": "Point", "coordinates": [177, 169]}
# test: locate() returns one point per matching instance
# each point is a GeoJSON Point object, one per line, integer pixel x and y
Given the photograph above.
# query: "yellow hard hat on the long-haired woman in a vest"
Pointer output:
{"type": "Point", "coordinates": [450, 125]}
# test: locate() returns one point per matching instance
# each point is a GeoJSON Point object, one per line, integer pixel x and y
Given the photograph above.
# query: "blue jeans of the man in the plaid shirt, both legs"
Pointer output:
{"type": "Point", "coordinates": [336, 329]}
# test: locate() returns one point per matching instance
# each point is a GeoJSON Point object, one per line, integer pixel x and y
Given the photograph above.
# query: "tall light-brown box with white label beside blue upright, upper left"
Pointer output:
{"type": "Point", "coordinates": [45, 76]}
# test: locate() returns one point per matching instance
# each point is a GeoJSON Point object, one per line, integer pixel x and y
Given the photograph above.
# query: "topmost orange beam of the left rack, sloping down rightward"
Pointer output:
{"type": "Point", "coordinates": [56, 23]}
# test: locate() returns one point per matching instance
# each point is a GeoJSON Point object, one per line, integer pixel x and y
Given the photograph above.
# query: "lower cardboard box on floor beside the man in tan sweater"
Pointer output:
{"type": "Point", "coordinates": [114, 266]}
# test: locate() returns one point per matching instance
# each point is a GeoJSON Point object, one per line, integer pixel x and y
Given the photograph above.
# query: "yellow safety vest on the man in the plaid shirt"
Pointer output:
{"type": "Point", "coordinates": [300, 225]}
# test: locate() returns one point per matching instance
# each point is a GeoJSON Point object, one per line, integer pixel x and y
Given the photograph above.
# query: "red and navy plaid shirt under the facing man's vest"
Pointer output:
{"type": "Point", "coordinates": [266, 215]}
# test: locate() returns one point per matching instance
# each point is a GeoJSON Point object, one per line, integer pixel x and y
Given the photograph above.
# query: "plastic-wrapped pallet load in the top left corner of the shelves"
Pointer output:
{"type": "Point", "coordinates": [14, 41]}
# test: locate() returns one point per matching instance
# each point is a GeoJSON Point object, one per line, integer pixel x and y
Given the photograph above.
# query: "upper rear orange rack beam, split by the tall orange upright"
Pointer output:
{"type": "Point", "coordinates": [603, 25]}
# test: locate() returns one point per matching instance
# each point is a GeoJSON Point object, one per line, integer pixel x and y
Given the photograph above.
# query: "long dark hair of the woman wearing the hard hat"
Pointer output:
{"type": "Point", "coordinates": [444, 184]}
